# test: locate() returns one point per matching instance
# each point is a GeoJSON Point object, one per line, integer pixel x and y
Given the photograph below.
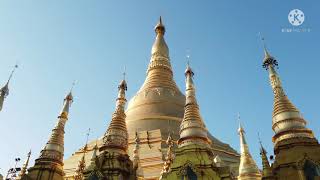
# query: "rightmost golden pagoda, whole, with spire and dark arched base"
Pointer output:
{"type": "Point", "coordinates": [297, 151]}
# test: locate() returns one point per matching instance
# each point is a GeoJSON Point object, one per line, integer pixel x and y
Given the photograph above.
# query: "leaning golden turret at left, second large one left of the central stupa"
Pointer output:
{"type": "Point", "coordinates": [50, 161]}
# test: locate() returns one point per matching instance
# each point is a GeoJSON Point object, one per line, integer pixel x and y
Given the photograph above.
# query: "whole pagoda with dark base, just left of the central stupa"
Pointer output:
{"type": "Point", "coordinates": [113, 161]}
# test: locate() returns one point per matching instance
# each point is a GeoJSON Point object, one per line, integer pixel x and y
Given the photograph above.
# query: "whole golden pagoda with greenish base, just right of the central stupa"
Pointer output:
{"type": "Point", "coordinates": [194, 158]}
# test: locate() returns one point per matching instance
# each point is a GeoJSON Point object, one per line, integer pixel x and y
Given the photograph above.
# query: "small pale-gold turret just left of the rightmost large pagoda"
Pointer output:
{"type": "Point", "coordinates": [248, 169]}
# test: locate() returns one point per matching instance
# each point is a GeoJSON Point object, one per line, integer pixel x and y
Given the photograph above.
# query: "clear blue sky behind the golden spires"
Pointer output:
{"type": "Point", "coordinates": [57, 42]}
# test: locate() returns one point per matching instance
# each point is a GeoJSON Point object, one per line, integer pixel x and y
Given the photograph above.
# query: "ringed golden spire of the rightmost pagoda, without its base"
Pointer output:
{"type": "Point", "coordinates": [287, 122]}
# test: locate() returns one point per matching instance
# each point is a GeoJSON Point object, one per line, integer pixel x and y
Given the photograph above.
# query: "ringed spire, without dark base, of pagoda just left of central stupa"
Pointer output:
{"type": "Point", "coordinates": [116, 136]}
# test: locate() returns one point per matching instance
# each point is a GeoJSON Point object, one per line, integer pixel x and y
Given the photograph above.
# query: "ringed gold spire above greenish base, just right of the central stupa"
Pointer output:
{"type": "Point", "coordinates": [192, 128]}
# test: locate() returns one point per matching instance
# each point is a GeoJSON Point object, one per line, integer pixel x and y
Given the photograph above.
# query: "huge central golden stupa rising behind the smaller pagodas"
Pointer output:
{"type": "Point", "coordinates": [153, 112]}
